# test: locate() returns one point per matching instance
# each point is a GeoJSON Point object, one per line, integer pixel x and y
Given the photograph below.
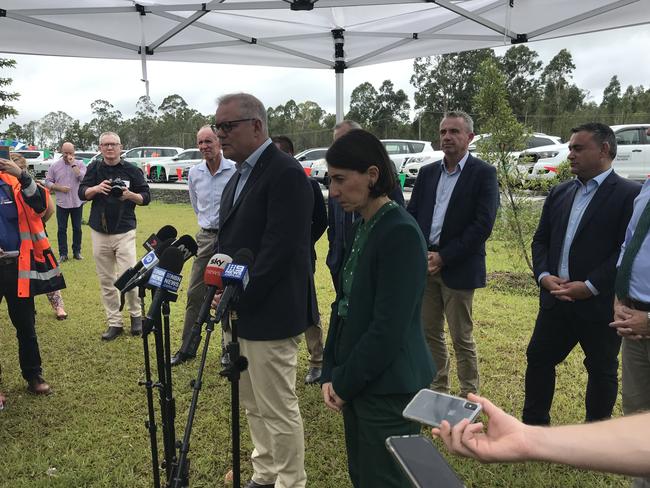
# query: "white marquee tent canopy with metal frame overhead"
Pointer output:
{"type": "Point", "coordinates": [325, 34]}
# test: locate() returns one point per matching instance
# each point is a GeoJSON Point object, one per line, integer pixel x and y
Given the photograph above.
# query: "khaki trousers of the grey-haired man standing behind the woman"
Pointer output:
{"type": "Point", "coordinates": [440, 302]}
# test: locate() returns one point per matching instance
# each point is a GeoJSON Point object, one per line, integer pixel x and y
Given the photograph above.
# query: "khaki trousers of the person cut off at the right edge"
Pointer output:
{"type": "Point", "coordinates": [636, 384]}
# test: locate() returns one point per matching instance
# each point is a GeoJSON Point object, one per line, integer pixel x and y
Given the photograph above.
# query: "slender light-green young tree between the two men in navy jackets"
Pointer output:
{"type": "Point", "coordinates": [506, 135]}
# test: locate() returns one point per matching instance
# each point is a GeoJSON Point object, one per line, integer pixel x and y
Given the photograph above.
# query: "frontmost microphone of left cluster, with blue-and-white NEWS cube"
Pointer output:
{"type": "Point", "coordinates": [166, 279]}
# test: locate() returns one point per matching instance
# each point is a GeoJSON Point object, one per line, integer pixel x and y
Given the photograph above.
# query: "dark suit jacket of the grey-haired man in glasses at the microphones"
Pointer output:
{"type": "Point", "coordinates": [272, 218]}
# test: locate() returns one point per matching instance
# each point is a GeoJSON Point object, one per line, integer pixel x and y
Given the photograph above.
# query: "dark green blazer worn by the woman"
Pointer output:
{"type": "Point", "coordinates": [380, 348]}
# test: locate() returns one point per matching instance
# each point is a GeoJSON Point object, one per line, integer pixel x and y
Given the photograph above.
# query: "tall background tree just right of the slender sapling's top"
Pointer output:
{"type": "Point", "coordinates": [521, 67]}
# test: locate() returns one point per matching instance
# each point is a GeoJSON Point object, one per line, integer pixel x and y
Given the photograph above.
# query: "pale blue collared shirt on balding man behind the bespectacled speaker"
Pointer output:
{"type": "Point", "coordinates": [206, 189]}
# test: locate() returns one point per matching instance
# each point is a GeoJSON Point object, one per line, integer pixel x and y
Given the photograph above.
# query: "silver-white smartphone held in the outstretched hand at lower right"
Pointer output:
{"type": "Point", "coordinates": [431, 408]}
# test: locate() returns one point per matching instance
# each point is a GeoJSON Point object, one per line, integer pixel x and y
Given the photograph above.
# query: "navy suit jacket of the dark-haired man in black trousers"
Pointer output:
{"type": "Point", "coordinates": [596, 244]}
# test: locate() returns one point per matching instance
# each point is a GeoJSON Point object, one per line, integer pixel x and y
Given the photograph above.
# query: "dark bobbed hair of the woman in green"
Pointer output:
{"type": "Point", "coordinates": [358, 150]}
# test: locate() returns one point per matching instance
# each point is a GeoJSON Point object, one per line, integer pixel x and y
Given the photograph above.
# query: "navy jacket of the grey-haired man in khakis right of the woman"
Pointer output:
{"type": "Point", "coordinates": [468, 221]}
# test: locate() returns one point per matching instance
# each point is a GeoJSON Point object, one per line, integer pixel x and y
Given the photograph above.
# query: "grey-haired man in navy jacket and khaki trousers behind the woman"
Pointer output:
{"type": "Point", "coordinates": [455, 203]}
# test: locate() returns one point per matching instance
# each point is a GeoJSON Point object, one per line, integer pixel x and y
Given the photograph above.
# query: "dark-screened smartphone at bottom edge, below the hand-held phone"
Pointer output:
{"type": "Point", "coordinates": [422, 462]}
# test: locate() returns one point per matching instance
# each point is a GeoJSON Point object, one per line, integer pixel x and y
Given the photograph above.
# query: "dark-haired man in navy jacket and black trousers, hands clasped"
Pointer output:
{"type": "Point", "coordinates": [575, 249]}
